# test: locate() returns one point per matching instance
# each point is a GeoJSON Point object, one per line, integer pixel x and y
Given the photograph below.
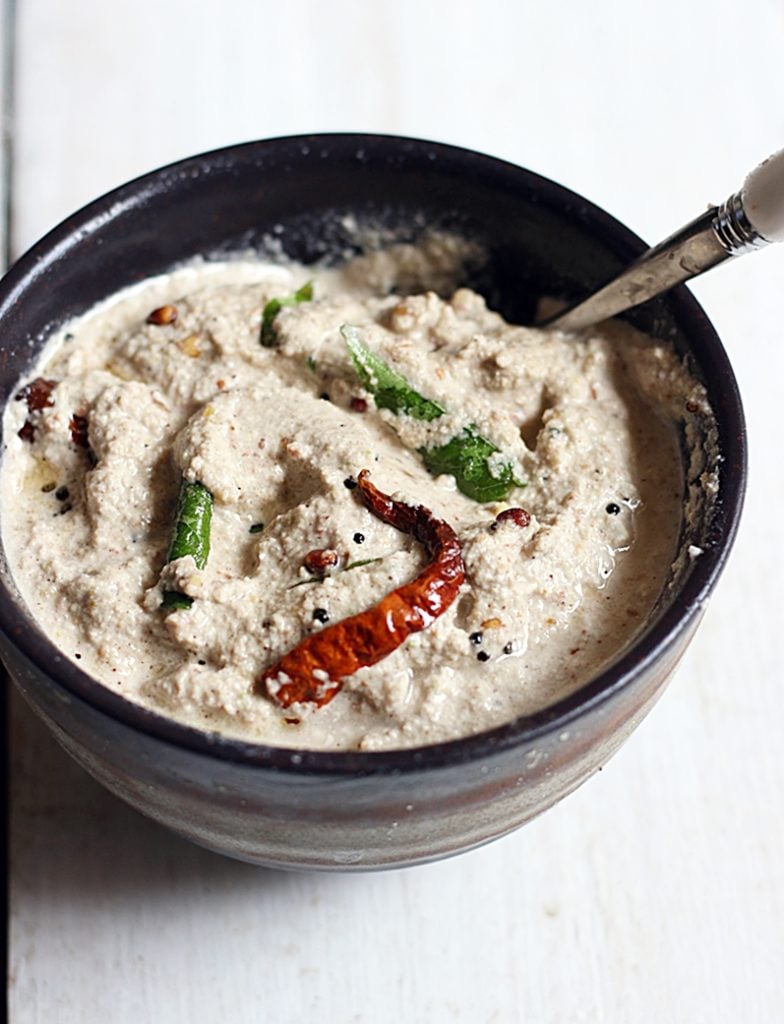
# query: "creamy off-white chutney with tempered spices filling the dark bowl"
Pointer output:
{"type": "Point", "coordinates": [194, 378]}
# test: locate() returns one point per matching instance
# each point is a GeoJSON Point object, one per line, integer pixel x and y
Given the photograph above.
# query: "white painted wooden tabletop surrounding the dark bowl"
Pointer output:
{"type": "Point", "coordinates": [657, 892]}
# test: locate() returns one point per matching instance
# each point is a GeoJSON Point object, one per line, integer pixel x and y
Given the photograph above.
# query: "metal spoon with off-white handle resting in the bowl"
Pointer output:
{"type": "Point", "coordinates": [750, 220]}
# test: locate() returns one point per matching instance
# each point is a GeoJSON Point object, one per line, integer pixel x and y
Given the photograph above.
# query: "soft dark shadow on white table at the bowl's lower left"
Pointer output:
{"type": "Point", "coordinates": [73, 837]}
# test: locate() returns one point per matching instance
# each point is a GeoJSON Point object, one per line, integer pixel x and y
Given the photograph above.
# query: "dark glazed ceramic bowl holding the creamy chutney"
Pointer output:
{"type": "Point", "coordinates": [332, 810]}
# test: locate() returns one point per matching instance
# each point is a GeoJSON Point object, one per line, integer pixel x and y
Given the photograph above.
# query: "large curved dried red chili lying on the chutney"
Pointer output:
{"type": "Point", "coordinates": [315, 670]}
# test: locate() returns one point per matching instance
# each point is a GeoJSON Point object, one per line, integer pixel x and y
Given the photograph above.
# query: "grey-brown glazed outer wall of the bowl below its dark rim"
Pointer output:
{"type": "Point", "coordinates": [349, 821]}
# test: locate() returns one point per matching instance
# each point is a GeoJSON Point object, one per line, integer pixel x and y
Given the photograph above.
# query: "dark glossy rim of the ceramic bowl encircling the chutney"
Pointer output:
{"type": "Point", "coordinates": [525, 731]}
